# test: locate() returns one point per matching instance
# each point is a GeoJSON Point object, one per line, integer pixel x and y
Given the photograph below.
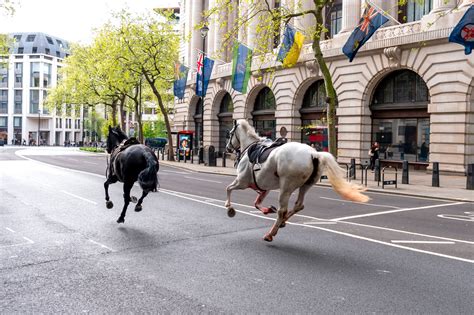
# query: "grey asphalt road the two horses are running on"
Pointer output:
{"type": "Point", "coordinates": [61, 250]}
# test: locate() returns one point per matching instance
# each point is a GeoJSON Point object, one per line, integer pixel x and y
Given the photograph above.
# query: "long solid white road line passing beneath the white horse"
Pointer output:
{"type": "Point", "coordinates": [176, 194]}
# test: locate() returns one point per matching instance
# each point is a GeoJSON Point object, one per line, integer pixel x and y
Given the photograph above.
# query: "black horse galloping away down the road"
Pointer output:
{"type": "Point", "coordinates": [129, 161]}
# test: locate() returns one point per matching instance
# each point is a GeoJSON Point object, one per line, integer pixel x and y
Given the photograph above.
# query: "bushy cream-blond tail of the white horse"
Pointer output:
{"type": "Point", "coordinates": [336, 176]}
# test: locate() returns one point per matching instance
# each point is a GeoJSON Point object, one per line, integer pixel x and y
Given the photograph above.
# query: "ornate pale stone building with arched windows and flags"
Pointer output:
{"type": "Point", "coordinates": [408, 88]}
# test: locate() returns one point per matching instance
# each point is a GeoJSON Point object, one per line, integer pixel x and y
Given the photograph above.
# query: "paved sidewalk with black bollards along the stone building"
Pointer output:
{"type": "Point", "coordinates": [452, 187]}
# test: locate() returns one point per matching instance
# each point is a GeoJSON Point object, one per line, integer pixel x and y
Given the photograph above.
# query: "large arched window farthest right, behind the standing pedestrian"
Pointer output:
{"type": "Point", "coordinates": [400, 120]}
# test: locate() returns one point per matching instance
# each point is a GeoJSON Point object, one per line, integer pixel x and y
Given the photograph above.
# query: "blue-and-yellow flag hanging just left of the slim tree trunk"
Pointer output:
{"type": "Point", "coordinates": [291, 46]}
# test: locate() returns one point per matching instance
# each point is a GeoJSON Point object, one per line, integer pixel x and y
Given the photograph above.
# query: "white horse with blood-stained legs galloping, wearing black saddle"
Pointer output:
{"type": "Point", "coordinates": [288, 167]}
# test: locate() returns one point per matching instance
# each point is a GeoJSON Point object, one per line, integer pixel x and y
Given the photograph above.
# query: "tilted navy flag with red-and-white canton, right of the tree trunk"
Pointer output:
{"type": "Point", "coordinates": [368, 24]}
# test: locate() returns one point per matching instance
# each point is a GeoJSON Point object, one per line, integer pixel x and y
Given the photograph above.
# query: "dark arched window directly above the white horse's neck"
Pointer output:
{"type": "Point", "coordinates": [264, 114]}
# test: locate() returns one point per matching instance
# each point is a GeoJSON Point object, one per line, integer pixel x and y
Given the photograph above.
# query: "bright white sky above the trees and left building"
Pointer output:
{"type": "Point", "coordinates": [71, 20]}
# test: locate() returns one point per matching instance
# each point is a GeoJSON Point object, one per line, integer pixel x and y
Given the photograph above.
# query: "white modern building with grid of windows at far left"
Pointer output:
{"type": "Point", "coordinates": [31, 69]}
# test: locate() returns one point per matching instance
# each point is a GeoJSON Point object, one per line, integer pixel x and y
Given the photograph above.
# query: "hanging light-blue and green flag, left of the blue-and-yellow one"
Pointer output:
{"type": "Point", "coordinates": [241, 64]}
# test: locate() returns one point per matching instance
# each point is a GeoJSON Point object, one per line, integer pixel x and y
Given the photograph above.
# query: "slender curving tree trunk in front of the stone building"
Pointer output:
{"type": "Point", "coordinates": [330, 91]}
